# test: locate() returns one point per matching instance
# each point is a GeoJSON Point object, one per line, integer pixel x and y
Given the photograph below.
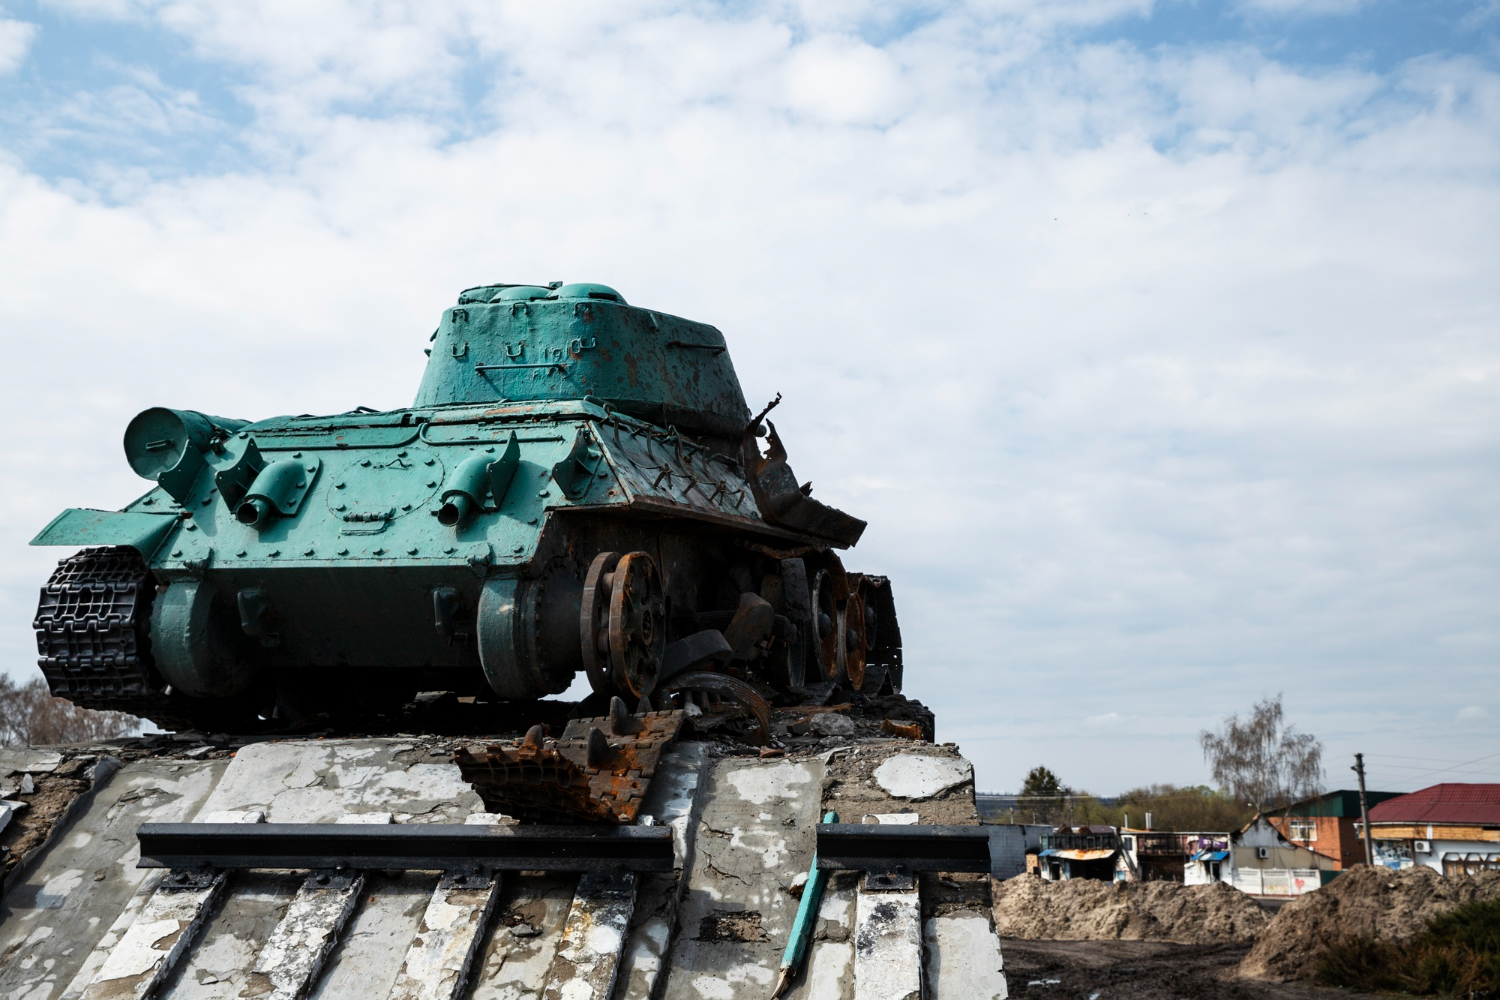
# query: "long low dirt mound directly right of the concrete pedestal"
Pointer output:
{"type": "Point", "coordinates": [1085, 911]}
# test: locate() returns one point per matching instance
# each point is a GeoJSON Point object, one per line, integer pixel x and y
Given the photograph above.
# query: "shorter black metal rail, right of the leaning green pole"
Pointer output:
{"type": "Point", "coordinates": [890, 848]}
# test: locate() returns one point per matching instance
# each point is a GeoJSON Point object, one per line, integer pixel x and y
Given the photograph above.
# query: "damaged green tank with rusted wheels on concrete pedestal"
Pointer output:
{"type": "Point", "coordinates": [580, 487]}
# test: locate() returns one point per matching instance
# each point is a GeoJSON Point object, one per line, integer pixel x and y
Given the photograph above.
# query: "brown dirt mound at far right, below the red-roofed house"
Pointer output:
{"type": "Point", "coordinates": [1364, 902]}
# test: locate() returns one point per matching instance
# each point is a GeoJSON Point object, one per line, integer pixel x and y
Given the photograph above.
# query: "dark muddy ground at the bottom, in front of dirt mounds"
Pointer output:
{"type": "Point", "coordinates": [1144, 971]}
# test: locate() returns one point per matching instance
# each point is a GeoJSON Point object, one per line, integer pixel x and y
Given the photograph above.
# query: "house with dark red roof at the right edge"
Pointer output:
{"type": "Point", "coordinates": [1454, 828]}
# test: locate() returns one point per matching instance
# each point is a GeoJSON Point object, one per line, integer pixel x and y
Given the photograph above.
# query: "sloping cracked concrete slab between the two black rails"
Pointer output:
{"type": "Point", "coordinates": [754, 839]}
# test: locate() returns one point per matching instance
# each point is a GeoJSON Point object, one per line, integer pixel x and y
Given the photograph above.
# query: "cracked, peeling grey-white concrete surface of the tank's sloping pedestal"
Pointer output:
{"type": "Point", "coordinates": [743, 839]}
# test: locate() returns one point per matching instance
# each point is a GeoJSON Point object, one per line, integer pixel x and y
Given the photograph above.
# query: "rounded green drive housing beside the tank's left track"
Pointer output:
{"type": "Point", "coordinates": [191, 645]}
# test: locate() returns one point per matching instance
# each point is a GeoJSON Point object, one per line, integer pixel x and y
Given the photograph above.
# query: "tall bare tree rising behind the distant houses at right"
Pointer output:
{"type": "Point", "coordinates": [1265, 762]}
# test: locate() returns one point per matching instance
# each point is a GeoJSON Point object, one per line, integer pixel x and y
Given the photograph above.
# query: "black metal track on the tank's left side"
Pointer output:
{"type": "Point", "coordinates": [94, 636]}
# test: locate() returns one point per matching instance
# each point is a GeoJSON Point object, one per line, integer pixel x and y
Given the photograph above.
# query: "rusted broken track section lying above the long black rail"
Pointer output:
{"type": "Point", "coordinates": [598, 771]}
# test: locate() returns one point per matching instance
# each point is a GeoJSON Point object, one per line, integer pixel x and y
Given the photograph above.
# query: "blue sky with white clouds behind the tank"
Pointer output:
{"type": "Point", "coordinates": [1157, 340]}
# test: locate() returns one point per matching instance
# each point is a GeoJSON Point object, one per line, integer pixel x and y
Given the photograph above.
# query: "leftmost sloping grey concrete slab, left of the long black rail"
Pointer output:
{"type": "Point", "coordinates": [82, 885]}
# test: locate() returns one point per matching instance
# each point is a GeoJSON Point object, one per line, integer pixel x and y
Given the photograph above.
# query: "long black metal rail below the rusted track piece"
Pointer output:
{"type": "Point", "coordinates": [415, 848]}
